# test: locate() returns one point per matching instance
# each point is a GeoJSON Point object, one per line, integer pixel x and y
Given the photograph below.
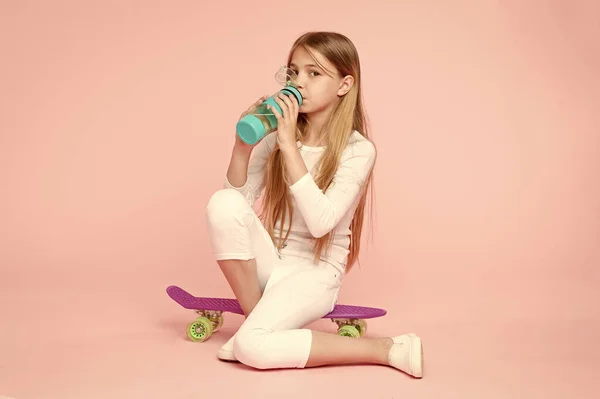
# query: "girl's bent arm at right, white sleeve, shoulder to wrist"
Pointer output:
{"type": "Point", "coordinates": [322, 211]}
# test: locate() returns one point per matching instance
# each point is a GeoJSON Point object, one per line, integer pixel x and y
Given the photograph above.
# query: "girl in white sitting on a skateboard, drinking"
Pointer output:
{"type": "Point", "coordinates": [286, 270]}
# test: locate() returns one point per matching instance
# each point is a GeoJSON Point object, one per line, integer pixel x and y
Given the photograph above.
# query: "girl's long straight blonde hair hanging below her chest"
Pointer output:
{"type": "Point", "coordinates": [347, 117]}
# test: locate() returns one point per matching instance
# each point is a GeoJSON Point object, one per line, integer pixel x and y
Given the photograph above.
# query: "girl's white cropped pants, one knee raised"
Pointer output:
{"type": "Point", "coordinates": [296, 291]}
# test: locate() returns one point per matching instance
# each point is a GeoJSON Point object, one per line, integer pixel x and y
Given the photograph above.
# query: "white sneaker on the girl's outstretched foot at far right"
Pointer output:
{"type": "Point", "coordinates": [407, 354]}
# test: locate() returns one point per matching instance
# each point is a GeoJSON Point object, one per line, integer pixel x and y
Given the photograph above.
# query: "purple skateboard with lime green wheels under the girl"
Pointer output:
{"type": "Point", "coordinates": [349, 319]}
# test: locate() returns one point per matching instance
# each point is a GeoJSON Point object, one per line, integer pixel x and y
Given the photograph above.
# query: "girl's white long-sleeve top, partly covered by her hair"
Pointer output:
{"type": "Point", "coordinates": [316, 212]}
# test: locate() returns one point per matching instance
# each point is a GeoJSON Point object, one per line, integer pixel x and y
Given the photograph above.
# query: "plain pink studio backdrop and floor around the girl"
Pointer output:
{"type": "Point", "coordinates": [116, 122]}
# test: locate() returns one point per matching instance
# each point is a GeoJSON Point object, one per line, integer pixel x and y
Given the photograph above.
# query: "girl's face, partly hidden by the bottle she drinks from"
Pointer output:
{"type": "Point", "coordinates": [320, 88]}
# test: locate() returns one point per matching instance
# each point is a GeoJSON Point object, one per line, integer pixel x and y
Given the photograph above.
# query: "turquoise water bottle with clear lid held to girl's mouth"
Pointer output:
{"type": "Point", "coordinates": [253, 127]}
